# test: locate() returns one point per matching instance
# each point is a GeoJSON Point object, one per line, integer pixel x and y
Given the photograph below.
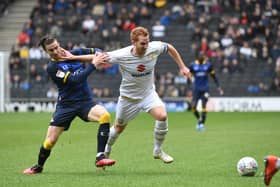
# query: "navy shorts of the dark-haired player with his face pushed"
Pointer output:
{"type": "Point", "coordinates": [64, 115]}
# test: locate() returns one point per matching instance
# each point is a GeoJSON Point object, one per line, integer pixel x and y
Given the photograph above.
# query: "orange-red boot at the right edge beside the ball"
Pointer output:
{"type": "Point", "coordinates": [272, 165]}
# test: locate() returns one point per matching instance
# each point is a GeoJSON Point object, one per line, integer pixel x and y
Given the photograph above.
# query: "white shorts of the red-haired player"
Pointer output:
{"type": "Point", "coordinates": [128, 109]}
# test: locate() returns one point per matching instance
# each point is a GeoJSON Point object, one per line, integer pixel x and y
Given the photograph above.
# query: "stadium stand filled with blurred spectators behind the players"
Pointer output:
{"type": "Point", "coordinates": [241, 38]}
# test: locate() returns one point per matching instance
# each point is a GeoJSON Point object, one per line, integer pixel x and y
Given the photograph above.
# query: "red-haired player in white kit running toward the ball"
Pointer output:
{"type": "Point", "coordinates": [137, 90]}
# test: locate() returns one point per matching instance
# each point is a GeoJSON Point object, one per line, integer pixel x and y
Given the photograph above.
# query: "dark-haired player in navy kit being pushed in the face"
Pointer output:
{"type": "Point", "coordinates": [75, 99]}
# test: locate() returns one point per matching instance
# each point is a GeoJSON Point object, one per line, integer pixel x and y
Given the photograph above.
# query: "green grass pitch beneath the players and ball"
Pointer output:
{"type": "Point", "coordinates": [202, 159]}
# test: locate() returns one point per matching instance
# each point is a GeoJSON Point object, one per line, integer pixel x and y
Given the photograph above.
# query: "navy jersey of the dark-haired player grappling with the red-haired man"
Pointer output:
{"type": "Point", "coordinates": [70, 77]}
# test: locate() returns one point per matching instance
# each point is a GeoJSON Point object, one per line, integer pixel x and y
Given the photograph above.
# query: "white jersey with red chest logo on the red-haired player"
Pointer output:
{"type": "Point", "coordinates": [137, 72]}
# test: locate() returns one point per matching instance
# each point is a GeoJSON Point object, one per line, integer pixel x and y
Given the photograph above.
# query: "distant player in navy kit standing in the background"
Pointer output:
{"type": "Point", "coordinates": [200, 70]}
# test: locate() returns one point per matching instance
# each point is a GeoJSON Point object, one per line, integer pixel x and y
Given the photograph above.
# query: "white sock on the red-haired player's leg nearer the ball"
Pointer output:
{"type": "Point", "coordinates": [161, 129]}
